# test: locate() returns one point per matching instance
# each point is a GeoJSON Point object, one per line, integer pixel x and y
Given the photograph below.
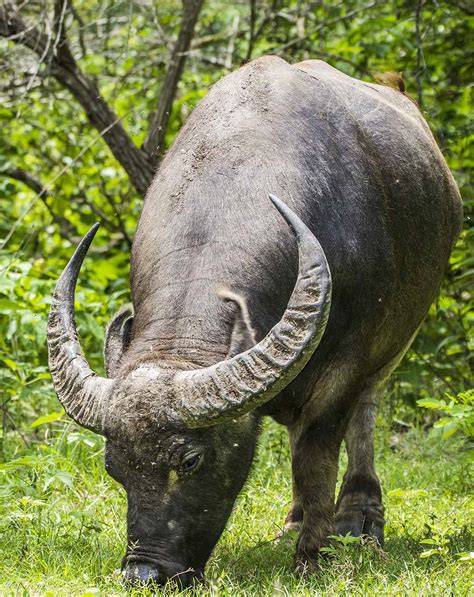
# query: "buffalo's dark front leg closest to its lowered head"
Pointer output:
{"type": "Point", "coordinates": [315, 455]}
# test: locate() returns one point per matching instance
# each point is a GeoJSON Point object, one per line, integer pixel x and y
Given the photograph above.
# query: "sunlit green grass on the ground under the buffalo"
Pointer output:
{"type": "Point", "coordinates": [62, 524]}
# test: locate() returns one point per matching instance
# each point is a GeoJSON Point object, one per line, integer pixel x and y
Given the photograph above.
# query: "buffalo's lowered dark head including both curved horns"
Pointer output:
{"type": "Point", "coordinates": [181, 441]}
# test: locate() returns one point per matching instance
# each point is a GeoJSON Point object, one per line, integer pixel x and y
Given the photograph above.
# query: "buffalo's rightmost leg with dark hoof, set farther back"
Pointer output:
{"type": "Point", "coordinates": [359, 509]}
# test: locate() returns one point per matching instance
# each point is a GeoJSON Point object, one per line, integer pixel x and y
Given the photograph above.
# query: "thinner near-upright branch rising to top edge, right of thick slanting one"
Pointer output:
{"type": "Point", "coordinates": [153, 145]}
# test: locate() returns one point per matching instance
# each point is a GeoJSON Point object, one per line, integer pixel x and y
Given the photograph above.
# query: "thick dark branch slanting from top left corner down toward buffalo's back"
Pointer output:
{"type": "Point", "coordinates": [66, 71]}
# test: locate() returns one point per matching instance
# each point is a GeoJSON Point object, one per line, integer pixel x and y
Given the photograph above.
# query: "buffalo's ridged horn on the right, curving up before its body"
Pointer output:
{"type": "Point", "coordinates": [238, 385]}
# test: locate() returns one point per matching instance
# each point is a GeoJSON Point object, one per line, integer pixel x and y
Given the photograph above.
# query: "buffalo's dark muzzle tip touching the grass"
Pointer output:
{"type": "Point", "coordinates": [142, 570]}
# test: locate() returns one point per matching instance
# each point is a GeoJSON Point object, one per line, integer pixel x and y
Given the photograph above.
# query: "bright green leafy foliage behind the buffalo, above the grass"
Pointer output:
{"type": "Point", "coordinates": [48, 136]}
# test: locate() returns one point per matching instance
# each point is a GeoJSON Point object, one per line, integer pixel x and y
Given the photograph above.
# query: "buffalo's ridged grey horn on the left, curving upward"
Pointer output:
{"type": "Point", "coordinates": [82, 393]}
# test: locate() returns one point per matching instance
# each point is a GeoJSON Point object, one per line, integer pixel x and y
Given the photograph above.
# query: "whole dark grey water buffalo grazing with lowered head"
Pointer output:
{"type": "Point", "coordinates": [231, 301]}
